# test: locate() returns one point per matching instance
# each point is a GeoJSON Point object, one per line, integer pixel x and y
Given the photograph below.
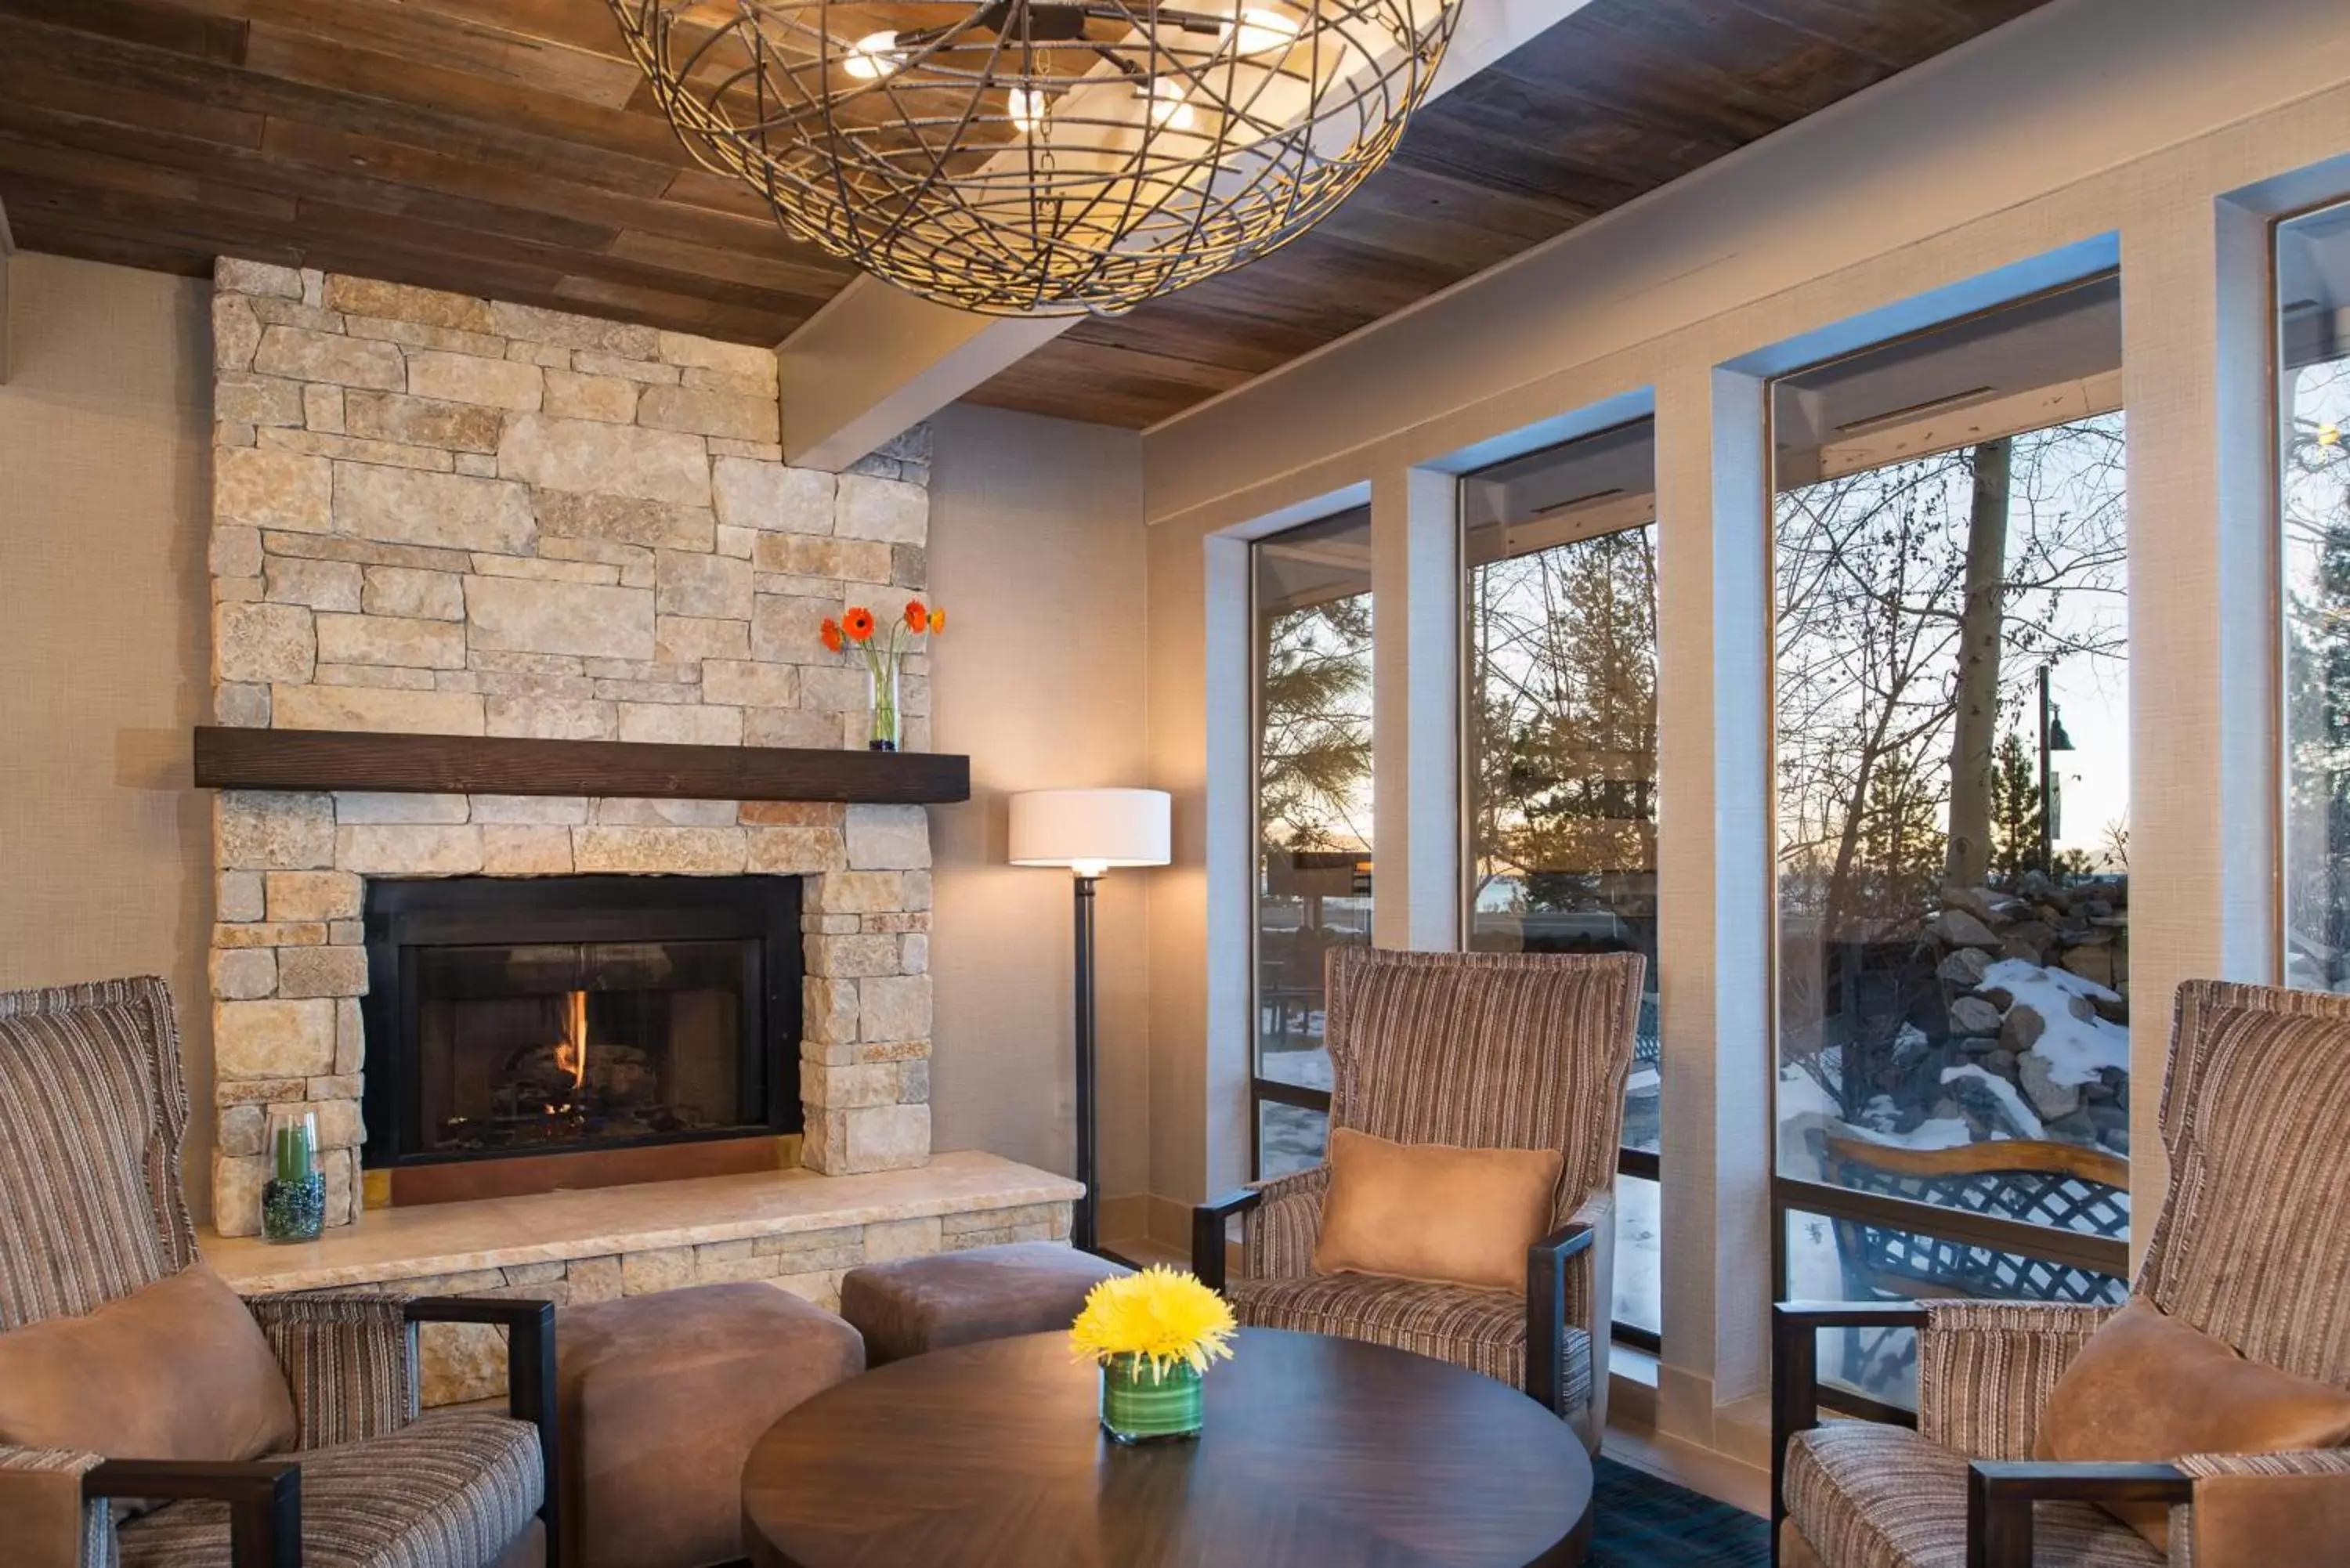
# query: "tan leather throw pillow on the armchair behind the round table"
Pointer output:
{"type": "Point", "coordinates": [1435, 1212]}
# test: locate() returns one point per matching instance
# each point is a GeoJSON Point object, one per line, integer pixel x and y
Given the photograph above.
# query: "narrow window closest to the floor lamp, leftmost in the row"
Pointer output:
{"type": "Point", "coordinates": [1312, 626]}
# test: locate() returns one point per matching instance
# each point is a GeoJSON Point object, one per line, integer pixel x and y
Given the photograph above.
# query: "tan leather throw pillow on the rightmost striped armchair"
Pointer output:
{"type": "Point", "coordinates": [2147, 1388]}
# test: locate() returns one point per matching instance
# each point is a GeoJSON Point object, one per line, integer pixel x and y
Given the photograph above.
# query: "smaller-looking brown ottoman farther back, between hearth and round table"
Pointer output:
{"type": "Point", "coordinates": [955, 1299]}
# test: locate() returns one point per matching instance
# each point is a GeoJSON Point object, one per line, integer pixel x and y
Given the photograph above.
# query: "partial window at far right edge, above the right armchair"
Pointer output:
{"type": "Point", "coordinates": [2314, 469]}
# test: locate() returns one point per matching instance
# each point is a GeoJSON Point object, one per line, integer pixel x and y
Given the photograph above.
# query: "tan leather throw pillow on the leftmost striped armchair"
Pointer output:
{"type": "Point", "coordinates": [175, 1372]}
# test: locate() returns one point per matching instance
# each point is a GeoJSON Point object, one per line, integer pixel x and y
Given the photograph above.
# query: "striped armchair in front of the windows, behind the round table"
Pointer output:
{"type": "Point", "coordinates": [1472, 1050]}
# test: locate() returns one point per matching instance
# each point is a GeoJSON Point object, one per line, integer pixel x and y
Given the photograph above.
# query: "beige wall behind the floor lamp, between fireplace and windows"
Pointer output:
{"type": "Point", "coordinates": [1038, 554]}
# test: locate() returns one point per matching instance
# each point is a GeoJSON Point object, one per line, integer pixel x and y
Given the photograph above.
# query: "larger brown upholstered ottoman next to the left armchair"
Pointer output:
{"type": "Point", "coordinates": [662, 1400]}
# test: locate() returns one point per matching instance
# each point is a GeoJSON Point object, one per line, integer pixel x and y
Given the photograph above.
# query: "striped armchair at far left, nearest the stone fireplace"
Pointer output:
{"type": "Point", "coordinates": [93, 1115]}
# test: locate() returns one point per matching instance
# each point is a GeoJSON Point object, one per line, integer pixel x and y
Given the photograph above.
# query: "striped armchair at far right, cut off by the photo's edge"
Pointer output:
{"type": "Point", "coordinates": [2250, 1249]}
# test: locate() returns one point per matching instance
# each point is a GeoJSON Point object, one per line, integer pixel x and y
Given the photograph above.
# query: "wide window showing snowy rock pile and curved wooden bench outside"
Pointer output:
{"type": "Point", "coordinates": [1952, 742]}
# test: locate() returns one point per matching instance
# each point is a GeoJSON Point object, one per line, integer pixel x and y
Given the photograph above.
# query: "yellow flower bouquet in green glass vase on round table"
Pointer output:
{"type": "Point", "coordinates": [1153, 1334]}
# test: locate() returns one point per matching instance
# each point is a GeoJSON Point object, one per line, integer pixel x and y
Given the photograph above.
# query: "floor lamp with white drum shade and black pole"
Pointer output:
{"type": "Point", "coordinates": [1089, 833]}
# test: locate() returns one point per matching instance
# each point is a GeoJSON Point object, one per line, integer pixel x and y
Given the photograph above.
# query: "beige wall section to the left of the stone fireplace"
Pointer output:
{"type": "Point", "coordinates": [105, 504]}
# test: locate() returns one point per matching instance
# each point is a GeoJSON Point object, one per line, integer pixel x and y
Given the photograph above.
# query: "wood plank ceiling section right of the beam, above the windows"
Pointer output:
{"type": "Point", "coordinates": [1613, 102]}
